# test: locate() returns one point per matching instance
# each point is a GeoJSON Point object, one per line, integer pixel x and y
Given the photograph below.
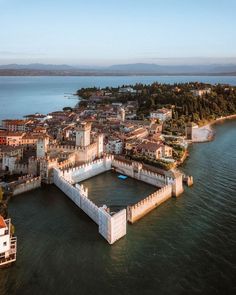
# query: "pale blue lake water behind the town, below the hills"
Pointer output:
{"type": "Point", "coordinates": [24, 95]}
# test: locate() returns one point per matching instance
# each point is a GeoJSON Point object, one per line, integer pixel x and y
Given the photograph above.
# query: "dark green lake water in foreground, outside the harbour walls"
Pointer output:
{"type": "Point", "coordinates": [186, 246]}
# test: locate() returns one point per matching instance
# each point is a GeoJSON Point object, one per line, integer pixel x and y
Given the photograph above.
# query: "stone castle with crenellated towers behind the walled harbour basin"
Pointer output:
{"type": "Point", "coordinates": [53, 155]}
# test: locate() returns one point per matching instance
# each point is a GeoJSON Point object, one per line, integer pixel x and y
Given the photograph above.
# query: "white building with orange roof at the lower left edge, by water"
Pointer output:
{"type": "Point", "coordinates": [7, 243]}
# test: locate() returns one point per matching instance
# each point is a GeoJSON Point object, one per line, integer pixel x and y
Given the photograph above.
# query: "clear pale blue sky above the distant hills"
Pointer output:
{"type": "Point", "coordinates": [106, 32]}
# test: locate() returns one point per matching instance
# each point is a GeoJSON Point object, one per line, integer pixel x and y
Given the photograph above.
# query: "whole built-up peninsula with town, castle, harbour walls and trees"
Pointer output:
{"type": "Point", "coordinates": [135, 130]}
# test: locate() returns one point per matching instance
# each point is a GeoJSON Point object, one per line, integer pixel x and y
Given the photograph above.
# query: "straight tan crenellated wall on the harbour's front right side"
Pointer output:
{"type": "Point", "coordinates": [140, 209]}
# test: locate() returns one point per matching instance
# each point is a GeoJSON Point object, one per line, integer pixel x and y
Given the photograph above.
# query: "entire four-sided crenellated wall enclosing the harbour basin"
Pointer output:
{"type": "Point", "coordinates": [113, 226]}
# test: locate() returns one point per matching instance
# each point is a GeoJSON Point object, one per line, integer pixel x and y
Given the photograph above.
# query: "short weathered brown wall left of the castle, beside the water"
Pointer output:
{"type": "Point", "coordinates": [25, 184]}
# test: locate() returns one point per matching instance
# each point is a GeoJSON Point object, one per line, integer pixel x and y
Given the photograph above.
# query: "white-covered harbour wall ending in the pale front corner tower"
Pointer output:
{"type": "Point", "coordinates": [111, 227]}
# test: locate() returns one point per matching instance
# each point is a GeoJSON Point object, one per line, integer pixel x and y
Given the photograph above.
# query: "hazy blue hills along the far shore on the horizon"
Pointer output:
{"type": "Point", "coordinates": [38, 69]}
